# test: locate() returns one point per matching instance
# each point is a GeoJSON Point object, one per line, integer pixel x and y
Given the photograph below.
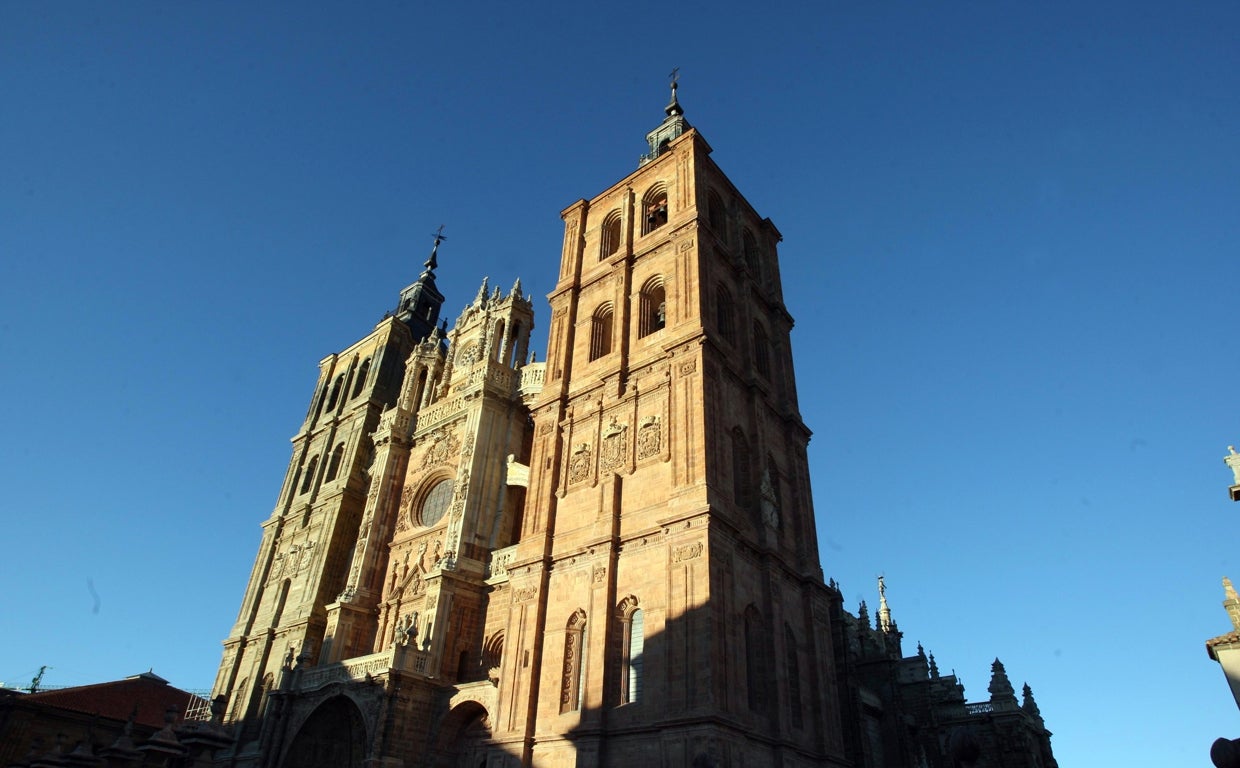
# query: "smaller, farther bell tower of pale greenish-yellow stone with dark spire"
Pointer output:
{"type": "Point", "coordinates": [303, 591]}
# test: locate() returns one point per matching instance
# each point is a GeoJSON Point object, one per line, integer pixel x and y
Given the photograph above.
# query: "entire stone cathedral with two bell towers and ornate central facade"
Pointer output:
{"type": "Point", "coordinates": [608, 558]}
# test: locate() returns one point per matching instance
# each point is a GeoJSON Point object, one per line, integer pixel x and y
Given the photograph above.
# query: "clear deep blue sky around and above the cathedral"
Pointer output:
{"type": "Point", "coordinates": [1011, 246]}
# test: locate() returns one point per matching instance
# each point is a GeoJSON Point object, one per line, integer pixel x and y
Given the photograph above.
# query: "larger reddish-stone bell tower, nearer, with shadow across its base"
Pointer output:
{"type": "Point", "coordinates": [668, 601]}
